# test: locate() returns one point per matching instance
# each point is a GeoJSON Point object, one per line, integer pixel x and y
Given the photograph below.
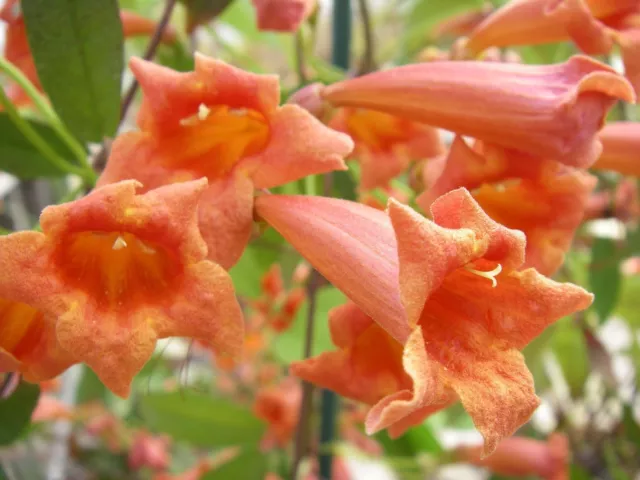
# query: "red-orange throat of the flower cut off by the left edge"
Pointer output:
{"type": "Point", "coordinates": [21, 328]}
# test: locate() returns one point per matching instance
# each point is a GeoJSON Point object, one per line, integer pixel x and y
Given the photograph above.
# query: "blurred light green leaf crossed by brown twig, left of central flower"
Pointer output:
{"type": "Point", "coordinates": [289, 345]}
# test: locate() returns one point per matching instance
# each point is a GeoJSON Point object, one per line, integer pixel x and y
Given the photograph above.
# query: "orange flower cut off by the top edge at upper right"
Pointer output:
{"type": "Point", "coordinates": [532, 22]}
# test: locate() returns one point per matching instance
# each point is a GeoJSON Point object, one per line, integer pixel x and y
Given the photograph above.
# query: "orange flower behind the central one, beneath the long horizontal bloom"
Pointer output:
{"type": "Point", "coordinates": [544, 199]}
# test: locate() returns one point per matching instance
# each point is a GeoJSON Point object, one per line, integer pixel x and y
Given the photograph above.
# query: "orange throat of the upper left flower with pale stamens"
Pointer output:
{"type": "Point", "coordinates": [215, 138]}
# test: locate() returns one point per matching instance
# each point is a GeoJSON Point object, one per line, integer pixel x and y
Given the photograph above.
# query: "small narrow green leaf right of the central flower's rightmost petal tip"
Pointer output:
{"type": "Point", "coordinates": [604, 276]}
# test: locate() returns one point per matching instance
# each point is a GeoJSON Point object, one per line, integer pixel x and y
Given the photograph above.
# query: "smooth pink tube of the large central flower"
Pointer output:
{"type": "Point", "coordinates": [351, 245]}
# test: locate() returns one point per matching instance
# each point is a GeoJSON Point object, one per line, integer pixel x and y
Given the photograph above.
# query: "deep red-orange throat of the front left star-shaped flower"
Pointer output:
{"type": "Point", "coordinates": [118, 269]}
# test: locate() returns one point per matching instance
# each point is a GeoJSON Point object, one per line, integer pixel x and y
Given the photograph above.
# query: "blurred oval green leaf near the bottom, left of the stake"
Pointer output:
{"type": "Point", "coordinates": [202, 420]}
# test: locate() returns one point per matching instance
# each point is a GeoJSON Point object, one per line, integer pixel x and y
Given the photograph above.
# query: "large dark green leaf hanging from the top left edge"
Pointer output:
{"type": "Point", "coordinates": [78, 49]}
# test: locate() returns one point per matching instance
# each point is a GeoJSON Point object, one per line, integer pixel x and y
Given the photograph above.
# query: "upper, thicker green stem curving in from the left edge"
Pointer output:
{"type": "Point", "coordinates": [45, 109]}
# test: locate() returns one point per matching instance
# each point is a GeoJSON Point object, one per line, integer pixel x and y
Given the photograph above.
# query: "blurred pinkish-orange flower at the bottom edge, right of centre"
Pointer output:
{"type": "Point", "coordinates": [524, 457]}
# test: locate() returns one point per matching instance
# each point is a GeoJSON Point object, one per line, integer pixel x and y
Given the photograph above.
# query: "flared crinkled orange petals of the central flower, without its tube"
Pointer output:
{"type": "Point", "coordinates": [478, 316]}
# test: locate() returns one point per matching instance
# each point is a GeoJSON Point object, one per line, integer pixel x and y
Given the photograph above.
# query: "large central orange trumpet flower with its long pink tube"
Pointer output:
{"type": "Point", "coordinates": [466, 303]}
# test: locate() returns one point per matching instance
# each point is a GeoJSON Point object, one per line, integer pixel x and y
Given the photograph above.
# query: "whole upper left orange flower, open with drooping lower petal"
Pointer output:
{"type": "Point", "coordinates": [225, 124]}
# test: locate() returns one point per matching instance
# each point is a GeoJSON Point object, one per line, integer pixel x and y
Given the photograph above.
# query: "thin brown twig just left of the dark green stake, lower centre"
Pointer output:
{"type": "Point", "coordinates": [301, 444]}
